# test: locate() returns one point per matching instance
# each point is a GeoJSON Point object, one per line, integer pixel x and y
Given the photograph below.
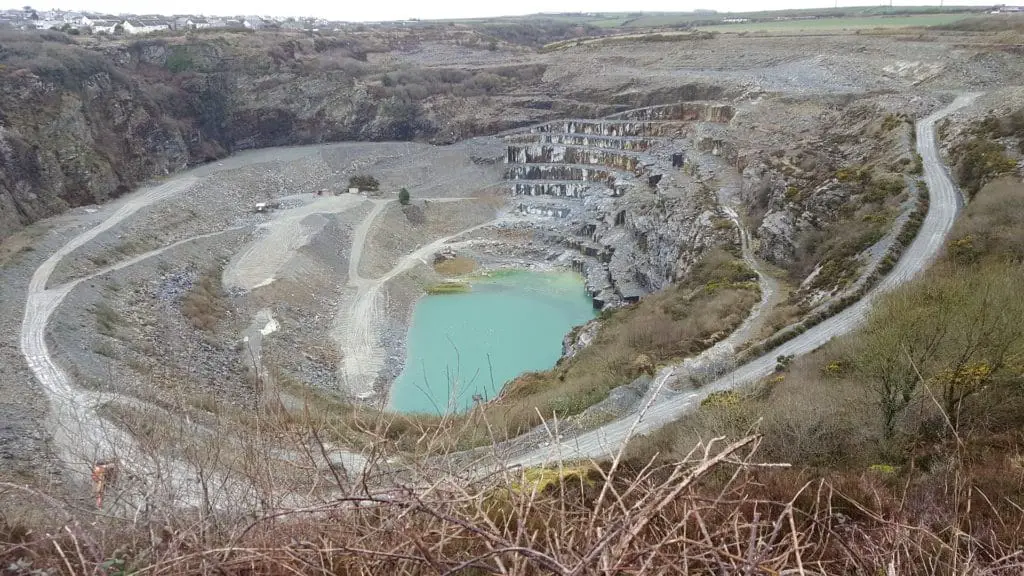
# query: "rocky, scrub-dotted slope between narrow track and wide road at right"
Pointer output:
{"type": "Point", "coordinates": [826, 192]}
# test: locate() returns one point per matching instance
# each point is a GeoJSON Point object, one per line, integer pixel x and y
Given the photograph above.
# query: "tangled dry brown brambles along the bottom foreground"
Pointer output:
{"type": "Point", "coordinates": [695, 517]}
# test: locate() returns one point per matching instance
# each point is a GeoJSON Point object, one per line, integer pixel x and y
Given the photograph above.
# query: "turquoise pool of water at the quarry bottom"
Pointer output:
{"type": "Point", "coordinates": [517, 319]}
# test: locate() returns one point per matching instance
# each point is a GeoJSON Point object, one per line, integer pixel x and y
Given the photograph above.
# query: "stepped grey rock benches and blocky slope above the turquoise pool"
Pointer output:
{"type": "Point", "coordinates": [633, 231]}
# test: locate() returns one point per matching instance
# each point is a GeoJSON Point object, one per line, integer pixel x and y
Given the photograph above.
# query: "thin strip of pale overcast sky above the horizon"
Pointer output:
{"type": "Point", "coordinates": [364, 11]}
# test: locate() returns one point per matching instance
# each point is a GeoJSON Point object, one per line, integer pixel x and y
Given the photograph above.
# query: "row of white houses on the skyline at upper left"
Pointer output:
{"type": "Point", "coordinates": [28, 19]}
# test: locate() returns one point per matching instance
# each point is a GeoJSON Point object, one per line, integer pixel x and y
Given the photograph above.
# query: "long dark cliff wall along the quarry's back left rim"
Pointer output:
{"type": "Point", "coordinates": [84, 120]}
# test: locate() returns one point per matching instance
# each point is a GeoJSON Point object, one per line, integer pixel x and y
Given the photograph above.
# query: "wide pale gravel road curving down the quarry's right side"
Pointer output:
{"type": "Point", "coordinates": [946, 201]}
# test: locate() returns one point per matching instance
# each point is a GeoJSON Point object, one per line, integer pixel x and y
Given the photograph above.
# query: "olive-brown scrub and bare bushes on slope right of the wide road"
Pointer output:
{"type": "Point", "coordinates": [918, 416]}
